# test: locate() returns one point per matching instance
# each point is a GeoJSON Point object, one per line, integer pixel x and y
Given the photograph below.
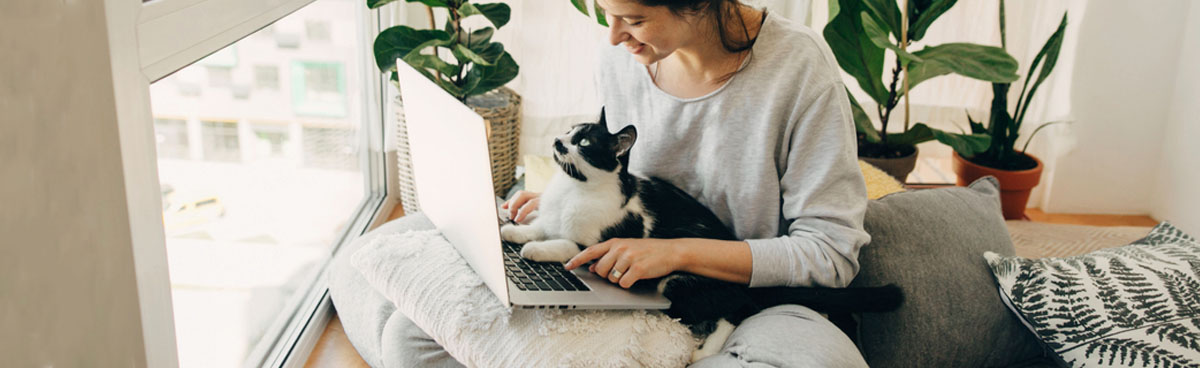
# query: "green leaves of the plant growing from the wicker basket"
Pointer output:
{"type": "Point", "coordinates": [479, 64]}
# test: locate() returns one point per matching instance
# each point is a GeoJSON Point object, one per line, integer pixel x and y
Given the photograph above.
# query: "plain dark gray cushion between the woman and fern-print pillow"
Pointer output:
{"type": "Point", "coordinates": [932, 243]}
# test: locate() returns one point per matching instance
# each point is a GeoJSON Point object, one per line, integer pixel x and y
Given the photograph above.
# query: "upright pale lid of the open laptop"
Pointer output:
{"type": "Point", "coordinates": [453, 171]}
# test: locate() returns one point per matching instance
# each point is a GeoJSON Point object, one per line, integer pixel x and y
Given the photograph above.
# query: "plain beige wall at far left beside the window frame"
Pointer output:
{"type": "Point", "coordinates": [68, 289]}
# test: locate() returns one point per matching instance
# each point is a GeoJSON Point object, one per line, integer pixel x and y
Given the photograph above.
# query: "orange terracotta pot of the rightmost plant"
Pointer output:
{"type": "Point", "coordinates": [1015, 186]}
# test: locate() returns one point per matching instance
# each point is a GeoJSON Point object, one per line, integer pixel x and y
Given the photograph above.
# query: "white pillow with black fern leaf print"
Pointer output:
{"type": "Point", "coordinates": [1132, 306]}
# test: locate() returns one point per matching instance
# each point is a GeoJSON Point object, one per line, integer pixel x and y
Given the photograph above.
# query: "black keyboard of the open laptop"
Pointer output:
{"type": "Point", "coordinates": [538, 276]}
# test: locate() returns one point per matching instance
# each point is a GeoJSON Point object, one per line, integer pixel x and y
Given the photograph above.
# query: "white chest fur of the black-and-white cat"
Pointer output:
{"type": "Point", "coordinates": [580, 212]}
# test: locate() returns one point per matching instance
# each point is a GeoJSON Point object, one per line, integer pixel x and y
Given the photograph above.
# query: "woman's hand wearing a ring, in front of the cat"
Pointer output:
{"type": "Point", "coordinates": [627, 261]}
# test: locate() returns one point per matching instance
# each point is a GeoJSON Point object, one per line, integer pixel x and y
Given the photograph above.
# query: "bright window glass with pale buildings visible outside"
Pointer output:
{"type": "Point", "coordinates": [260, 149]}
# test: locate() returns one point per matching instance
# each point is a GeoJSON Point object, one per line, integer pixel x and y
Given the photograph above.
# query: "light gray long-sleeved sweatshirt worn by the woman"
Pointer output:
{"type": "Point", "coordinates": [772, 153]}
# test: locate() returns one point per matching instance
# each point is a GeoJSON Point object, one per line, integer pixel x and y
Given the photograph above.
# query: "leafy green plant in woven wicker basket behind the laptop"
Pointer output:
{"type": "Point", "coordinates": [473, 69]}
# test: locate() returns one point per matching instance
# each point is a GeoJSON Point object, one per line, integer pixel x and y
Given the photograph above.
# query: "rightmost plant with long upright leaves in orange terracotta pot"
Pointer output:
{"type": "Point", "coordinates": [1017, 171]}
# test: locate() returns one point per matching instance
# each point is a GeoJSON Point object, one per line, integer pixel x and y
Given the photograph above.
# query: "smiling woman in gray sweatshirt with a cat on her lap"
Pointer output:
{"type": "Point", "coordinates": [748, 114]}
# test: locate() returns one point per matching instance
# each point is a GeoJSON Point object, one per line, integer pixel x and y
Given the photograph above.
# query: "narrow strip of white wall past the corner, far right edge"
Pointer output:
{"type": "Point", "coordinates": [1178, 198]}
